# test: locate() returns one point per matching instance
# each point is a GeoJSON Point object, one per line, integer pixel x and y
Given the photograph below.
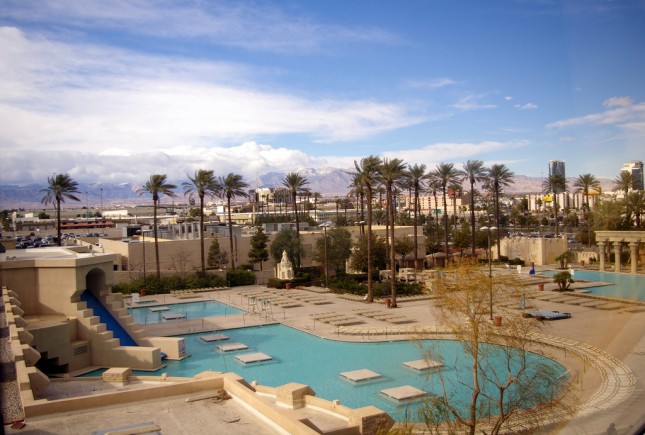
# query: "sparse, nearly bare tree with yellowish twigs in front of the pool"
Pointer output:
{"type": "Point", "coordinates": [510, 385]}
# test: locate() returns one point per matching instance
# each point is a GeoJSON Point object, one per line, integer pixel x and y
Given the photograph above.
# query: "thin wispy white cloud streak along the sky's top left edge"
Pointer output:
{"type": "Point", "coordinates": [252, 26]}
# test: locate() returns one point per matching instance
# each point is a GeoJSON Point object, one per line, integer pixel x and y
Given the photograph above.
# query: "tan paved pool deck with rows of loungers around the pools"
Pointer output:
{"type": "Point", "coordinates": [603, 343]}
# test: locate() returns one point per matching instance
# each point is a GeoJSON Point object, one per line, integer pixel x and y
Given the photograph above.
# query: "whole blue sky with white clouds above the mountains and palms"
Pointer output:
{"type": "Point", "coordinates": [113, 91]}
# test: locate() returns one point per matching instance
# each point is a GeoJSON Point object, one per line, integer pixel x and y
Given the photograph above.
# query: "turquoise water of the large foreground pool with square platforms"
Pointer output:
{"type": "Point", "coordinates": [301, 357]}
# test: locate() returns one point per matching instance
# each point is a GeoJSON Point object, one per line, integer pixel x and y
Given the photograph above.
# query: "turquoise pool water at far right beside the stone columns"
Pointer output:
{"type": "Point", "coordinates": [626, 286]}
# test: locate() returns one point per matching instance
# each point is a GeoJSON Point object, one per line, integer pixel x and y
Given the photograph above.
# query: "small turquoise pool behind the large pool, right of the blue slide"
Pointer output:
{"type": "Point", "coordinates": [191, 310]}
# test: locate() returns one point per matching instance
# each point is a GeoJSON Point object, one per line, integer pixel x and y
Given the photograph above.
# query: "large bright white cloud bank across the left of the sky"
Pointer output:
{"type": "Point", "coordinates": [92, 98]}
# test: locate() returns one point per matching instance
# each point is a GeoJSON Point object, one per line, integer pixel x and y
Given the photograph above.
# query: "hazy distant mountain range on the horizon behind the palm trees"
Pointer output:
{"type": "Point", "coordinates": [327, 181]}
